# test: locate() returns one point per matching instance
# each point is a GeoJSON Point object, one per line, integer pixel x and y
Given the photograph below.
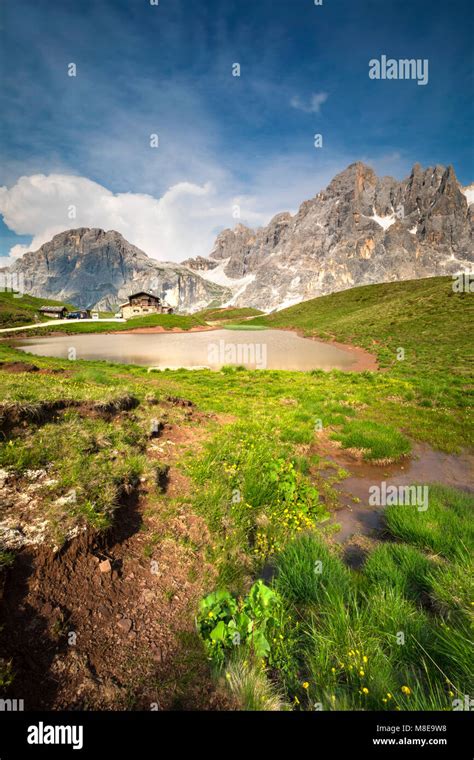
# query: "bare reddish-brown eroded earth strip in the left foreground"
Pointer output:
{"type": "Point", "coordinates": [107, 623]}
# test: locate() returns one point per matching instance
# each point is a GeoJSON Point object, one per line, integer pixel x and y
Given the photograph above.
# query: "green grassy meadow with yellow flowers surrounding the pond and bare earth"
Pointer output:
{"type": "Point", "coordinates": [395, 633]}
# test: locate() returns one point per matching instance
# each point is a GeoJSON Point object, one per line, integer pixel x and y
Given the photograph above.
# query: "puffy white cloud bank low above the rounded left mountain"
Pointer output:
{"type": "Point", "coordinates": [180, 224]}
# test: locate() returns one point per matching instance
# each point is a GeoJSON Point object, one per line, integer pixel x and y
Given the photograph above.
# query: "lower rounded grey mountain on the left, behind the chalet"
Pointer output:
{"type": "Point", "coordinates": [90, 267]}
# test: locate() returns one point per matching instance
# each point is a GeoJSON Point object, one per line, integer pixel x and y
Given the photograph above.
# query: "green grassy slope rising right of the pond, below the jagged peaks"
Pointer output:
{"type": "Point", "coordinates": [416, 315]}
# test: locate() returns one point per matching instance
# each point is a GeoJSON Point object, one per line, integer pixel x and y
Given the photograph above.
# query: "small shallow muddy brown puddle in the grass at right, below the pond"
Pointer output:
{"type": "Point", "coordinates": [426, 466]}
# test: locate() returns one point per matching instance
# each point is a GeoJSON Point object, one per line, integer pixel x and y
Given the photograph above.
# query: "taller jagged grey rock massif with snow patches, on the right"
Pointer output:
{"type": "Point", "coordinates": [360, 230]}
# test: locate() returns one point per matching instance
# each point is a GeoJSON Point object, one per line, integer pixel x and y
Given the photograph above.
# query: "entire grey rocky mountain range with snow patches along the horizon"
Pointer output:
{"type": "Point", "coordinates": [361, 229]}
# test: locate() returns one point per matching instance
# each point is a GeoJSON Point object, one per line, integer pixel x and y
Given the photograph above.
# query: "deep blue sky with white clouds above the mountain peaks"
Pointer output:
{"type": "Point", "coordinates": [224, 141]}
